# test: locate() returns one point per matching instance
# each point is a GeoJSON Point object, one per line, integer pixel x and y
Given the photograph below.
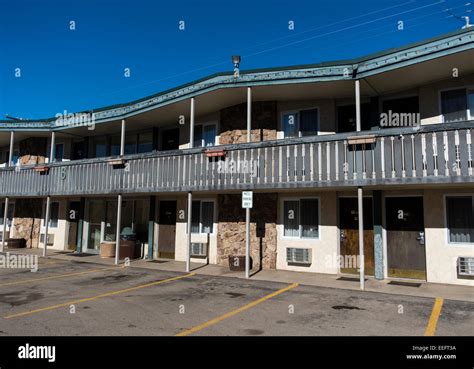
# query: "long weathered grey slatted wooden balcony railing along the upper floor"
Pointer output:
{"type": "Point", "coordinates": [422, 155]}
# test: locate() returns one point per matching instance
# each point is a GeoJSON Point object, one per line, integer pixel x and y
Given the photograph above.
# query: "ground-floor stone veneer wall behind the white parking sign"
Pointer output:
{"type": "Point", "coordinates": [263, 234]}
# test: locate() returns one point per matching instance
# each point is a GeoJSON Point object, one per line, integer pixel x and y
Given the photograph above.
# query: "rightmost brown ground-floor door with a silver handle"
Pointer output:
{"type": "Point", "coordinates": [405, 237]}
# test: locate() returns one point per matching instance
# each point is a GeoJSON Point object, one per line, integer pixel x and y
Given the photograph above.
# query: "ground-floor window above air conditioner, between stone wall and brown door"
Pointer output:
{"type": "Point", "coordinates": [301, 218]}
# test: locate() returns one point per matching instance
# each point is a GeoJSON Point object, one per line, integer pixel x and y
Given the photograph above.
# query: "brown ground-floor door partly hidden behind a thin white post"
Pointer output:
{"type": "Point", "coordinates": [349, 233]}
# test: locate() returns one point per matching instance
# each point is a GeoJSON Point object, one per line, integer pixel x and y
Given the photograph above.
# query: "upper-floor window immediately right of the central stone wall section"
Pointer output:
{"type": "Point", "coordinates": [300, 123]}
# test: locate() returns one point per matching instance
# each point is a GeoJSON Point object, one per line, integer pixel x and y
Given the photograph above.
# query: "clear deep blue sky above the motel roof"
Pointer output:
{"type": "Point", "coordinates": [74, 70]}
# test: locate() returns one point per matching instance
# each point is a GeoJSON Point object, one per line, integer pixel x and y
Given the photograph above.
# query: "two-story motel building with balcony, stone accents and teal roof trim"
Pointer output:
{"type": "Point", "coordinates": [304, 161]}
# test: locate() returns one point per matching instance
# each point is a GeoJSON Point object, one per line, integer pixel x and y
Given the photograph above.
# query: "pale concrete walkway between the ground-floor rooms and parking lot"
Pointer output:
{"type": "Point", "coordinates": [433, 290]}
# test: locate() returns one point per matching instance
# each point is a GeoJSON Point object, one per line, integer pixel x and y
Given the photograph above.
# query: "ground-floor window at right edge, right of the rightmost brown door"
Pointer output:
{"type": "Point", "coordinates": [460, 219]}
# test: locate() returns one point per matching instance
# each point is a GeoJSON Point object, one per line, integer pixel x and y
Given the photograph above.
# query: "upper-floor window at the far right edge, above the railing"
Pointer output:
{"type": "Point", "coordinates": [456, 105]}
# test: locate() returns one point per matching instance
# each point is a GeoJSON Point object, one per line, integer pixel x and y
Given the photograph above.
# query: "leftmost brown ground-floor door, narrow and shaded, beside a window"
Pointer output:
{"type": "Point", "coordinates": [167, 229]}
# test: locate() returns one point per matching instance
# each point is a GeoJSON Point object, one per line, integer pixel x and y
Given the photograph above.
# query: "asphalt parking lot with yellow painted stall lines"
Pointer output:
{"type": "Point", "coordinates": [75, 298]}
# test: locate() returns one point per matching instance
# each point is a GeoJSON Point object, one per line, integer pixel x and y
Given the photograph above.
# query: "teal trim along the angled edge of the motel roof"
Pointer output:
{"type": "Point", "coordinates": [328, 71]}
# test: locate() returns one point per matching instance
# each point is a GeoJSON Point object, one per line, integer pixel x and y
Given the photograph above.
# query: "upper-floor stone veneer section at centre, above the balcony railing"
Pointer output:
{"type": "Point", "coordinates": [233, 122]}
